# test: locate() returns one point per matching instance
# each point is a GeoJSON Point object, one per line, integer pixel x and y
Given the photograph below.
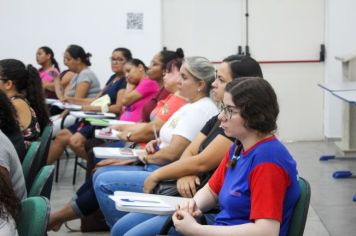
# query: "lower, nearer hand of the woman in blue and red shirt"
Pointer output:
{"type": "Point", "coordinates": [184, 222]}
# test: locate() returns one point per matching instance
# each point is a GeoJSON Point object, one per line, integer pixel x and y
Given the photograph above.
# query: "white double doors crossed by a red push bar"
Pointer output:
{"type": "Point", "coordinates": [279, 30]}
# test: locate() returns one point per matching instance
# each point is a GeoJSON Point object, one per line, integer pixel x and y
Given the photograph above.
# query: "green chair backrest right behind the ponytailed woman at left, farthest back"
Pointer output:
{"type": "Point", "coordinates": [41, 157]}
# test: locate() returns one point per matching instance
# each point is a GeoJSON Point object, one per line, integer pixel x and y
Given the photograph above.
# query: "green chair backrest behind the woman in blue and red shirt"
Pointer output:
{"type": "Point", "coordinates": [300, 212]}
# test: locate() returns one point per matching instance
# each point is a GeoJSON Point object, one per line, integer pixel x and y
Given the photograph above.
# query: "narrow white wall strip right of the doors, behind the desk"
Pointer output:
{"type": "Point", "coordinates": [340, 40]}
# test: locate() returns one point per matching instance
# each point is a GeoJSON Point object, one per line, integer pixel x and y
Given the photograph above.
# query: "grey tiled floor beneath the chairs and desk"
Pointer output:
{"type": "Point", "coordinates": [332, 211]}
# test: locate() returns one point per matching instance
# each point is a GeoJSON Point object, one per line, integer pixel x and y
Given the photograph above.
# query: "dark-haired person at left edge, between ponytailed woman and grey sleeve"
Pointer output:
{"type": "Point", "coordinates": [10, 126]}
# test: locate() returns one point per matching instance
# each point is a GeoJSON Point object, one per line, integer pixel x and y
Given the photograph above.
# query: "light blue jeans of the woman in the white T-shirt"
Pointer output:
{"type": "Point", "coordinates": [109, 179]}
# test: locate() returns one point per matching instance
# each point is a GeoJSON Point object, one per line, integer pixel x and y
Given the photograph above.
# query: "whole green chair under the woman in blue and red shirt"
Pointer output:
{"type": "Point", "coordinates": [298, 220]}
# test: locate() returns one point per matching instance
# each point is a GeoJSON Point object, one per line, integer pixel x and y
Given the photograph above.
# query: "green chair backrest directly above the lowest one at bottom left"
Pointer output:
{"type": "Point", "coordinates": [42, 185]}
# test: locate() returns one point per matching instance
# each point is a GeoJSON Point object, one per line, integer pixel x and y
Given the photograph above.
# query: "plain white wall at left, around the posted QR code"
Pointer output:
{"type": "Point", "coordinates": [97, 26]}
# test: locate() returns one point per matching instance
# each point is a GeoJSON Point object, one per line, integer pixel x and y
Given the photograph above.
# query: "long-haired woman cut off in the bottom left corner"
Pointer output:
{"type": "Point", "coordinates": [10, 206]}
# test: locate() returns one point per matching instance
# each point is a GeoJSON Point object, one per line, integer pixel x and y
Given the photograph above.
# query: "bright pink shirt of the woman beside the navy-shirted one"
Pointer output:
{"type": "Point", "coordinates": [147, 88]}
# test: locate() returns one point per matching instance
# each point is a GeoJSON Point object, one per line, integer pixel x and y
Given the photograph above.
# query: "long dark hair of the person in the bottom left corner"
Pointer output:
{"type": "Point", "coordinates": [9, 203]}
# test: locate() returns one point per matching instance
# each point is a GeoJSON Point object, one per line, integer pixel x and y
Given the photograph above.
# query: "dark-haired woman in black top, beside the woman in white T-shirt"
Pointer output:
{"type": "Point", "coordinates": [207, 150]}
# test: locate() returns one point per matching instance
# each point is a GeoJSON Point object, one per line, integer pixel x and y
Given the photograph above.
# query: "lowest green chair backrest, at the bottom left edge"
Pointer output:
{"type": "Point", "coordinates": [33, 216]}
